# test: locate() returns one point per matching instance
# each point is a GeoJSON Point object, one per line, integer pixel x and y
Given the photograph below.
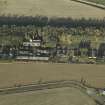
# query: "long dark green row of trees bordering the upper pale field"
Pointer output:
{"type": "Point", "coordinates": [55, 21]}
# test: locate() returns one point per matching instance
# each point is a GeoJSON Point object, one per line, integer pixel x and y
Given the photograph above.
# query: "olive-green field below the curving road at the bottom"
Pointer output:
{"type": "Point", "coordinates": [60, 96]}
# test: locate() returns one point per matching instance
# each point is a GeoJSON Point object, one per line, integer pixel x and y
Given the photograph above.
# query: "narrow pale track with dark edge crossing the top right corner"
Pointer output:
{"type": "Point", "coordinates": [91, 4]}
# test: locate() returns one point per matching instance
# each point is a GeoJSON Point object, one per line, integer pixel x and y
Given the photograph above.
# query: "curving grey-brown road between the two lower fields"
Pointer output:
{"type": "Point", "coordinates": [44, 85]}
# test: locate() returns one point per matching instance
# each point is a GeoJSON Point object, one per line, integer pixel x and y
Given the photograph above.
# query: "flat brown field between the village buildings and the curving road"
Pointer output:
{"type": "Point", "coordinates": [11, 74]}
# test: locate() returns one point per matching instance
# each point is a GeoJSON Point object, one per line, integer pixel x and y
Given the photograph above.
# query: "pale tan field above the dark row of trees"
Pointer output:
{"type": "Point", "coordinates": [50, 8]}
